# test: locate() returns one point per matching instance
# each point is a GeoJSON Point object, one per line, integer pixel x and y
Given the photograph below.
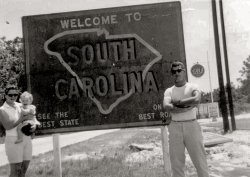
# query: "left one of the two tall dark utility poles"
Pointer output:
{"type": "Point", "coordinates": [222, 101]}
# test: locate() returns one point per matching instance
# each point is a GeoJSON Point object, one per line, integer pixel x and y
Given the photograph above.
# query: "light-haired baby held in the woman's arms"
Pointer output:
{"type": "Point", "coordinates": [27, 108]}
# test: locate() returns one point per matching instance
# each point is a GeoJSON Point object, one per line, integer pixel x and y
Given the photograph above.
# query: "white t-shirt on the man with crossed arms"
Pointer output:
{"type": "Point", "coordinates": [178, 93]}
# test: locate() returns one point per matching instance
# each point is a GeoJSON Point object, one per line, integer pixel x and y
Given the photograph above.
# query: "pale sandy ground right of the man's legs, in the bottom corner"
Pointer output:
{"type": "Point", "coordinates": [231, 159]}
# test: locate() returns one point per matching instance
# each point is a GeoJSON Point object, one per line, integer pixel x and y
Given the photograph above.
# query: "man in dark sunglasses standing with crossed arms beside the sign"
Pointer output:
{"type": "Point", "coordinates": [184, 131]}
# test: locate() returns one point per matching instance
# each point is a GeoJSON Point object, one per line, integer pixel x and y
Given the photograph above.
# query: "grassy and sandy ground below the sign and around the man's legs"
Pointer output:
{"type": "Point", "coordinates": [112, 155]}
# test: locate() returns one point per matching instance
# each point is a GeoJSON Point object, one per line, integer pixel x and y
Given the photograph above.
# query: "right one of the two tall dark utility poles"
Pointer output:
{"type": "Point", "coordinates": [229, 92]}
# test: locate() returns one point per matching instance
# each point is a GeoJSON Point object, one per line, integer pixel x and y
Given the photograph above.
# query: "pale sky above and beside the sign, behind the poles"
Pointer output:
{"type": "Point", "coordinates": [197, 28]}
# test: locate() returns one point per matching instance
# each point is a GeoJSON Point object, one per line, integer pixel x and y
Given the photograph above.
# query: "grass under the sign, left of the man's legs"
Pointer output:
{"type": "Point", "coordinates": [102, 156]}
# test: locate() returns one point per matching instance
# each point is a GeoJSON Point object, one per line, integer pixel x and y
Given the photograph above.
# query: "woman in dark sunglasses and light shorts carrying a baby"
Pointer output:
{"type": "Point", "coordinates": [19, 154]}
